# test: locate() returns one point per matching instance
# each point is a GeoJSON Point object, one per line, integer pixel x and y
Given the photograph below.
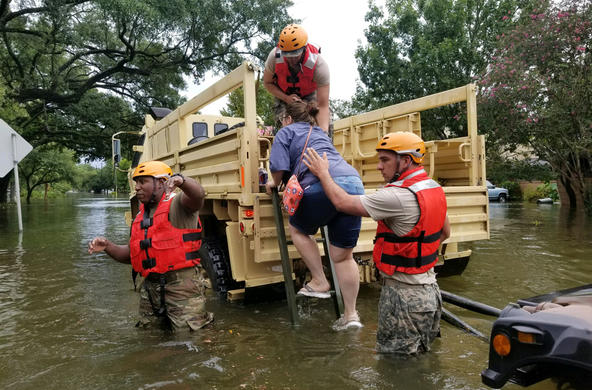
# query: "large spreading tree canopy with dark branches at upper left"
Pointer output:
{"type": "Point", "coordinates": [56, 51]}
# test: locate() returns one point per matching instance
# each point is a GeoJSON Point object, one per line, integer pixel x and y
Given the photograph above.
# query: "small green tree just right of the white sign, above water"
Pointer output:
{"type": "Point", "coordinates": [46, 165]}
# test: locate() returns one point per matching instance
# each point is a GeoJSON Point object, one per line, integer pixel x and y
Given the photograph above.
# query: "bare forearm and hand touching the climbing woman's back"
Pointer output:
{"type": "Point", "coordinates": [342, 201]}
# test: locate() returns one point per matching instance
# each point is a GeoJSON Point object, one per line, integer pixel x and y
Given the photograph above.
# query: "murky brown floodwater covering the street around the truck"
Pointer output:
{"type": "Point", "coordinates": [67, 318]}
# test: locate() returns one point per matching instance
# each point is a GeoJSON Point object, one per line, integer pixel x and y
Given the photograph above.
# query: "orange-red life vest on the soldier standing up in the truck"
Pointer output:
{"type": "Point", "coordinates": [300, 83]}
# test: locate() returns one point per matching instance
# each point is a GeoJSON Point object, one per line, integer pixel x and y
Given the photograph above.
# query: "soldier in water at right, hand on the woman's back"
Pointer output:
{"type": "Point", "coordinates": [412, 222]}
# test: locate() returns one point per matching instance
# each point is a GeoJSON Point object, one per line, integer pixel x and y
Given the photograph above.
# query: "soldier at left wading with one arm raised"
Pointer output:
{"type": "Point", "coordinates": [172, 294]}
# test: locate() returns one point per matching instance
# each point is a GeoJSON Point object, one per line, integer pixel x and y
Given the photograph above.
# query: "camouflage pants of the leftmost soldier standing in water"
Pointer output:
{"type": "Point", "coordinates": [184, 300]}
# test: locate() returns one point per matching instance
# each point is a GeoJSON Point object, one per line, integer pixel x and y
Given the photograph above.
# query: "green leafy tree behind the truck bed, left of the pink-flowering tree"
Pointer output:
{"type": "Point", "coordinates": [421, 47]}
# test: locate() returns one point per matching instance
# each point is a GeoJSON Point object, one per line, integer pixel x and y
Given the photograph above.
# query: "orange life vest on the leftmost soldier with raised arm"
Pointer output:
{"type": "Point", "coordinates": [156, 246]}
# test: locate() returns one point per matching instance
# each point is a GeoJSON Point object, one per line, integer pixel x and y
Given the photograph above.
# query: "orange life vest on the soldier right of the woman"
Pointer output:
{"type": "Point", "coordinates": [417, 251]}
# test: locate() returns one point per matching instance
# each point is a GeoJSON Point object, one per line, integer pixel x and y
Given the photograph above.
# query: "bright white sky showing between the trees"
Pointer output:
{"type": "Point", "coordinates": [337, 27]}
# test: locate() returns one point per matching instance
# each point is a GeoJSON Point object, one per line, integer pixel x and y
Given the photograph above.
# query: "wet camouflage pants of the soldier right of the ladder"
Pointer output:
{"type": "Point", "coordinates": [408, 317]}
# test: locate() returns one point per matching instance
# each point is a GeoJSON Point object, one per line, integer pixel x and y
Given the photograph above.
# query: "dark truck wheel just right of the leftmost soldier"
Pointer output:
{"type": "Point", "coordinates": [214, 260]}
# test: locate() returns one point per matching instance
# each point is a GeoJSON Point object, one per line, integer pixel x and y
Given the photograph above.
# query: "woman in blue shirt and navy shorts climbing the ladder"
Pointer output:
{"type": "Point", "coordinates": [316, 209]}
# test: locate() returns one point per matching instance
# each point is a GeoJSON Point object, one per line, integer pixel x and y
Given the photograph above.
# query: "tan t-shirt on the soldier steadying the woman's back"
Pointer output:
{"type": "Point", "coordinates": [399, 210]}
